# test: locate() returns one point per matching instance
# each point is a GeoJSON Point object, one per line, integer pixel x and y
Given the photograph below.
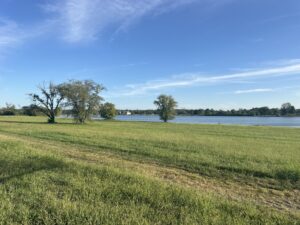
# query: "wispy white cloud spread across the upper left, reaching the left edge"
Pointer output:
{"type": "Point", "coordinates": [86, 20]}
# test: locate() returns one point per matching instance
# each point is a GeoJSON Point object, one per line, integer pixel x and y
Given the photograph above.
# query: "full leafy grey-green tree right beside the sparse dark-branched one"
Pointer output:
{"type": "Point", "coordinates": [83, 98]}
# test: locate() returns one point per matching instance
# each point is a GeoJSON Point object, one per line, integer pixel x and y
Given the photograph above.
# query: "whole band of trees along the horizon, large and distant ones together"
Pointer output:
{"type": "Point", "coordinates": [81, 100]}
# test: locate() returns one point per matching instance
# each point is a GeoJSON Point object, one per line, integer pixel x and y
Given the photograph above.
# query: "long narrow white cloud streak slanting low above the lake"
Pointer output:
{"type": "Point", "coordinates": [200, 79]}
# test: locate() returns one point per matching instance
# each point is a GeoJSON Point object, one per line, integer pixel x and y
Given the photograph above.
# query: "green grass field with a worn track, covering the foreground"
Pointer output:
{"type": "Point", "coordinates": [111, 172]}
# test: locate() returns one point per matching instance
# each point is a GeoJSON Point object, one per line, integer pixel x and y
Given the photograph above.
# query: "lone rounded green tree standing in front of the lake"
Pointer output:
{"type": "Point", "coordinates": [166, 106]}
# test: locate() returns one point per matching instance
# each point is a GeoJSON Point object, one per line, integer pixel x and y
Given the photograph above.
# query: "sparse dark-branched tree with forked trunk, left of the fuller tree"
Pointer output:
{"type": "Point", "coordinates": [49, 100]}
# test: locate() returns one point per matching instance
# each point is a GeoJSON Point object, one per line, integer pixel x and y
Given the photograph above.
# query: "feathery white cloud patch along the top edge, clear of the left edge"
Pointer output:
{"type": "Point", "coordinates": [85, 20]}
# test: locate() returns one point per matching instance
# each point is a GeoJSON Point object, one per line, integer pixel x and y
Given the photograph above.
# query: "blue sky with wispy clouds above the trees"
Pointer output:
{"type": "Point", "coordinates": [219, 54]}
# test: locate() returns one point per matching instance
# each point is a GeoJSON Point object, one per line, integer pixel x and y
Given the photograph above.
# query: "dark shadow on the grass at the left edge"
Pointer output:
{"type": "Point", "coordinates": [10, 169]}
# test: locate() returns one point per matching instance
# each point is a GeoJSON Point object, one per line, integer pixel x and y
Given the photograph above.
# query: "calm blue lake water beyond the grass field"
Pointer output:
{"type": "Point", "coordinates": [237, 120]}
